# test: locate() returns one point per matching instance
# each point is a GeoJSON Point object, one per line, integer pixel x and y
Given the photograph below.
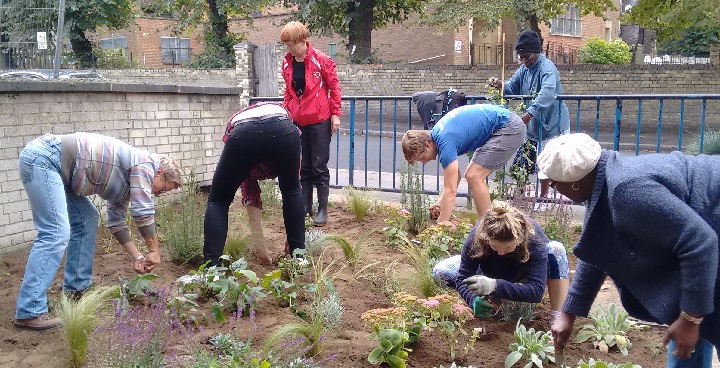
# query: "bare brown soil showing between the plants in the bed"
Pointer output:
{"type": "Point", "coordinates": [348, 347]}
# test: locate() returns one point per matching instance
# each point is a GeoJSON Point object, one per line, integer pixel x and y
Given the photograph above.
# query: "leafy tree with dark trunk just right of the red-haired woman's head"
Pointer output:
{"type": "Point", "coordinates": [354, 19]}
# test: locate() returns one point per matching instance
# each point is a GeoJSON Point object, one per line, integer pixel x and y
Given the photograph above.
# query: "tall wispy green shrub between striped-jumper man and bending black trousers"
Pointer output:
{"type": "Point", "coordinates": [183, 224]}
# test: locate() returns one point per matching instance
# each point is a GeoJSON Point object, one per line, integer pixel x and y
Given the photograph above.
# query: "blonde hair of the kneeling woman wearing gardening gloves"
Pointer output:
{"type": "Point", "coordinates": [503, 223]}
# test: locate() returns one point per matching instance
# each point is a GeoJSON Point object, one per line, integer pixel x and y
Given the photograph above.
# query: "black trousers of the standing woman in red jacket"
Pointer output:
{"type": "Point", "coordinates": [315, 154]}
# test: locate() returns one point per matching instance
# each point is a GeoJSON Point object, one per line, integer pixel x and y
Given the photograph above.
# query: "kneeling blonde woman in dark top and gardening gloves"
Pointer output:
{"type": "Point", "coordinates": [508, 256]}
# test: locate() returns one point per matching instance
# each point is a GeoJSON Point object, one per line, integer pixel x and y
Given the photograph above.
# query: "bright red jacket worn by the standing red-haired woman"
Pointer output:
{"type": "Point", "coordinates": [321, 97]}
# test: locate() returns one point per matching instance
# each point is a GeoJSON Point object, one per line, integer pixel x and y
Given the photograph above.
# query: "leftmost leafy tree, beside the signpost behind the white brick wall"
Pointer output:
{"type": "Point", "coordinates": [83, 16]}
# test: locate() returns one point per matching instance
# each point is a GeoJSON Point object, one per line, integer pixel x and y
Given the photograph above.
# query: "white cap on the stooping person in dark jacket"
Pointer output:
{"type": "Point", "coordinates": [568, 158]}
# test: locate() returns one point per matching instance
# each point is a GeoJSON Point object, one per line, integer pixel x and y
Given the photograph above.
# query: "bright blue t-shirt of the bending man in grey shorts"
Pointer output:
{"type": "Point", "coordinates": [465, 129]}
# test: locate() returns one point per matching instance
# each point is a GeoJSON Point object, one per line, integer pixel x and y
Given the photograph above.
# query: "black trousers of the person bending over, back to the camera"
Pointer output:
{"type": "Point", "coordinates": [274, 141]}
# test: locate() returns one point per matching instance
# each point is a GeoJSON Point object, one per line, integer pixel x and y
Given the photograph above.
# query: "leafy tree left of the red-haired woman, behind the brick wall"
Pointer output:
{"type": "Point", "coordinates": [215, 16]}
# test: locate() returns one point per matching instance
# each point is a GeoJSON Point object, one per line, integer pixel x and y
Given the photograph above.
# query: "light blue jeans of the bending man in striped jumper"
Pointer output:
{"type": "Point", "coordinates": [63, 220]}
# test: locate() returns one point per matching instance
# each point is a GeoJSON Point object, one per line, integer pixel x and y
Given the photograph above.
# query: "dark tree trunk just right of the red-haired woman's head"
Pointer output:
{"type": "Point", "coordinates": [360, 31]}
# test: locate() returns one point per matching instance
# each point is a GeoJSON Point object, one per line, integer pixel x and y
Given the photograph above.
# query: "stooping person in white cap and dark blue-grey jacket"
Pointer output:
{"type": "Point", "coordinates": [651, 225]}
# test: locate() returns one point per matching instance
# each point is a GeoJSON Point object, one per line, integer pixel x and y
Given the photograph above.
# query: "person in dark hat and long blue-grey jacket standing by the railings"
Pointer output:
{"type": "Point", "coordinates": [546, 117]}
